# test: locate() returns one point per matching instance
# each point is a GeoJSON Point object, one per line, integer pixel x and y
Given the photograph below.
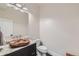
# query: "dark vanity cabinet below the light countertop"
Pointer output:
{"type": "Point", "coordinates": [26, 51]}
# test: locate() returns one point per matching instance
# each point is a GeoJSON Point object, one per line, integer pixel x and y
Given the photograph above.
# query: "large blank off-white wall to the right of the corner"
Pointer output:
{"type": "Point", "coordinates": [59, 27]}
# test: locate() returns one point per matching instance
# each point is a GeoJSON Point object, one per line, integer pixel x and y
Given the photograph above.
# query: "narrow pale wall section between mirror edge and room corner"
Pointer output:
{"type": "Point", "coordinates": [34, 20]}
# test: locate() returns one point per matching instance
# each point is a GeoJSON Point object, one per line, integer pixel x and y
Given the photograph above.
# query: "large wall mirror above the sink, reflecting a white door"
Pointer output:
{"type": "Point", "coordinates": [12, 22]}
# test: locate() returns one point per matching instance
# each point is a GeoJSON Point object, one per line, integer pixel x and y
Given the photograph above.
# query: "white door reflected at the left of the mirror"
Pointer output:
{"type": "Point", "coordinates": [6, 26]}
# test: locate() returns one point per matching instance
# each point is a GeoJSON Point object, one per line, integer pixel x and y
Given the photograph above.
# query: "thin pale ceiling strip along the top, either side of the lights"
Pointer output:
{"type": "Point", "coordinates": [3, 5]}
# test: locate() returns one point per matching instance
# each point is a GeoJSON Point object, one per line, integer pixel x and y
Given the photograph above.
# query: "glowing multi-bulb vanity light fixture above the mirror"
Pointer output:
{"type": "Point", "coordinates": [17, 6]}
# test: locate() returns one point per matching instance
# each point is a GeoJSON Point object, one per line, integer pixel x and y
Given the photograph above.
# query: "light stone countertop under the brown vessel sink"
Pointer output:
{"type": "Point", "coordinates": [6, 48]}
